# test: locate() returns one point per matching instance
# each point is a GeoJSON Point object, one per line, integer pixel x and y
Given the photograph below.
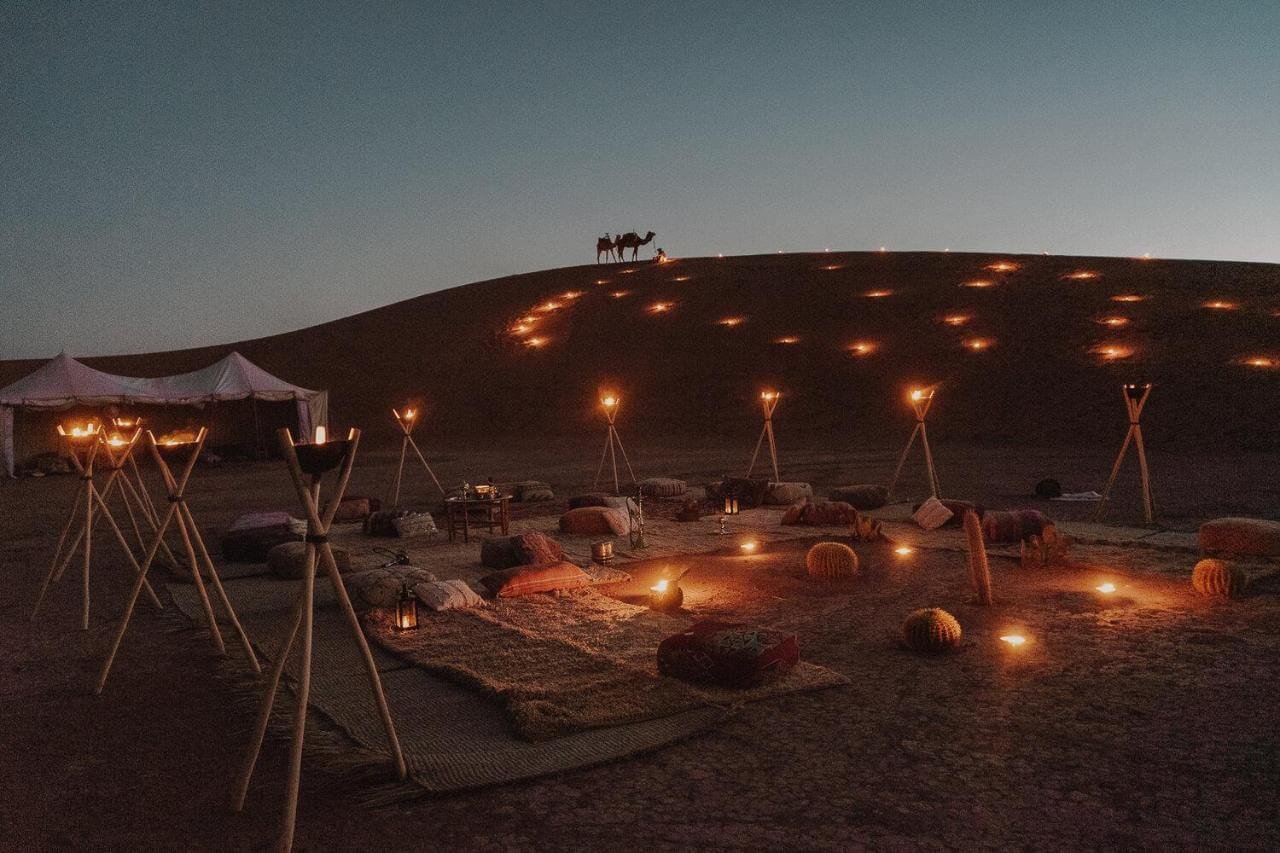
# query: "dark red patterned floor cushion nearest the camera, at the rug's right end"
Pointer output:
{"type": "Point", "coordinates": [728, 655]}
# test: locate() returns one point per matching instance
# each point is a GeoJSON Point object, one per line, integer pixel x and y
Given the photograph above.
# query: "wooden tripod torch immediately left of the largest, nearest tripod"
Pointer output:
{"type": "Point", "coordinates": [194, 542]}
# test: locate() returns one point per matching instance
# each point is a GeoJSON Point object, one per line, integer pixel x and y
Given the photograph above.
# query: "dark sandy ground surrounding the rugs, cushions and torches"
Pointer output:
{"type": "Point", "coordinates": [1145, 722]}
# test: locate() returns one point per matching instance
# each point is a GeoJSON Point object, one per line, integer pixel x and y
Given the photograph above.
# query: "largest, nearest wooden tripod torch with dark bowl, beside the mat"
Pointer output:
{"type": "Point", "coordinates": [312, 462]}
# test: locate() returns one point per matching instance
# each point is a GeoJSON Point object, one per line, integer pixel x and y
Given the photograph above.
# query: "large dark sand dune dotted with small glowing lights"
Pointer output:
{"type": "Point", "coordinates": [692, 343]}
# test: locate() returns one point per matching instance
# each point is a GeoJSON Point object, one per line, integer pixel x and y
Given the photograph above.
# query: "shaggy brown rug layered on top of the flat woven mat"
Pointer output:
{"type": "Point", "coordinates": [572, 663]}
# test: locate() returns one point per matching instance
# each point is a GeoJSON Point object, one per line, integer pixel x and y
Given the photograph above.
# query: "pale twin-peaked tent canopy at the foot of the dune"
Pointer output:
{"type": "Point", "coordinates": [63, 382]}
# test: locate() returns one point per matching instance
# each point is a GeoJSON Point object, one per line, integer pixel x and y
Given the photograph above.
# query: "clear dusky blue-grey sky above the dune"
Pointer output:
{"type": "Point", "coordinates": [185, 175]}
